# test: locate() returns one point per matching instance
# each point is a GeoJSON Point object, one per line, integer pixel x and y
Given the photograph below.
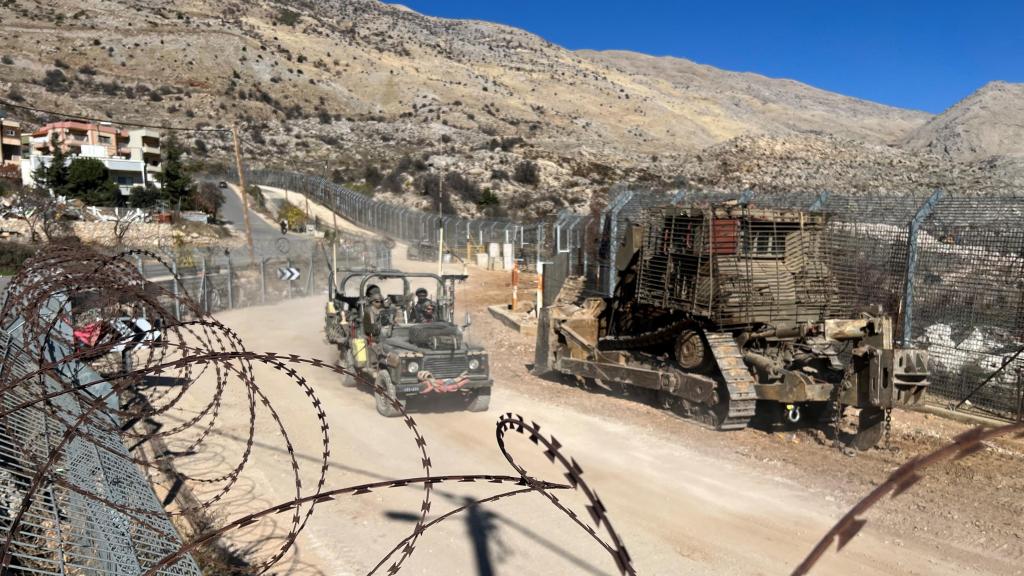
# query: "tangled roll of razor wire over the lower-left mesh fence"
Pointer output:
{"type": "Point", "coordinates": [60, 317]}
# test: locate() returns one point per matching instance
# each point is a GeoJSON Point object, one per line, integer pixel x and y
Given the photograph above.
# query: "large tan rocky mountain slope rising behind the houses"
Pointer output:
{"type": "Point", "coordinates": [388, 100]}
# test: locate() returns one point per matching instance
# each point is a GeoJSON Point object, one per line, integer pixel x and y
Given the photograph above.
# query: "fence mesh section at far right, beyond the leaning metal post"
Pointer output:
{"type": "Point", "coordinates": [969, 301]}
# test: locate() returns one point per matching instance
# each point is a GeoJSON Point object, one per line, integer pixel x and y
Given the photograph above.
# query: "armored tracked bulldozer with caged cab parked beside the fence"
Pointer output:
{"type": "Point", "coordinates": [731, 311]}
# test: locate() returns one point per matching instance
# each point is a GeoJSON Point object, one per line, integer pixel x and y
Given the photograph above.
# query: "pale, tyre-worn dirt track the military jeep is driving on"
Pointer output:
{"type": "Point", "coordinates": [686, 500]}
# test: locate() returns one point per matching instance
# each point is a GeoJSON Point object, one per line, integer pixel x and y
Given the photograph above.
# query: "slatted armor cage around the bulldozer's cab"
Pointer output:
{"type": "Point", "coordinates": [739, 266]}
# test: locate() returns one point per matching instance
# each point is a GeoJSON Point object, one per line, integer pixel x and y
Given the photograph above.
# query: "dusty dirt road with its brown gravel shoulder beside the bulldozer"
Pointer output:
{"type": "Point", "coordinates": [686, 501]}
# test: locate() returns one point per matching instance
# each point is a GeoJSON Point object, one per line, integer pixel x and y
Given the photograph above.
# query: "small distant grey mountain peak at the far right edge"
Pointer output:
{"type": "Point", "coordinates": [988, 124]}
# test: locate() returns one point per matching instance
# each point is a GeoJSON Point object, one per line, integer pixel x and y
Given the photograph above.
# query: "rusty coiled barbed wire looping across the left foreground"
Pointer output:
{"type": "Point", "coordinates": [103, 289]}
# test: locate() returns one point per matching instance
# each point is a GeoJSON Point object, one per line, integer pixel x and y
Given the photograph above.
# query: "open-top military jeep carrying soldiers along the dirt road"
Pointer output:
{"type": "Point", "coordinates": [392, 345]}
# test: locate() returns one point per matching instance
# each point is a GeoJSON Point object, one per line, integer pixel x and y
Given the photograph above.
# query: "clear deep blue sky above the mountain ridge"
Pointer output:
{"type": "Point", "coordinates": [911, 54]}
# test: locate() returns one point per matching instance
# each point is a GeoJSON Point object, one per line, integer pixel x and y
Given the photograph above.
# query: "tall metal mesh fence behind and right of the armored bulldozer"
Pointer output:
{"type": "Point", "coordinates": [950, 270]}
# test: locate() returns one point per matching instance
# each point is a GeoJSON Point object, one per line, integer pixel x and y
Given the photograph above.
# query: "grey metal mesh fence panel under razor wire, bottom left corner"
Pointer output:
{"type": "Point", "coordinates": [91, 510]}
